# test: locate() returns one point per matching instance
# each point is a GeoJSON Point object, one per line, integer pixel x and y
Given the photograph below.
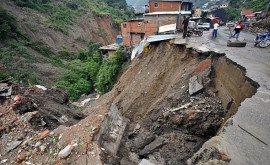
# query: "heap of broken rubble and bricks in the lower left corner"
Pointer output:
{"type": "Point", "coordinates": [28, 115]}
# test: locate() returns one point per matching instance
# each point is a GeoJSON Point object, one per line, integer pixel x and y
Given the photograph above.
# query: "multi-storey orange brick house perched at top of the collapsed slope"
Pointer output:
{"type": "Point", "coordinates": [161, 13]}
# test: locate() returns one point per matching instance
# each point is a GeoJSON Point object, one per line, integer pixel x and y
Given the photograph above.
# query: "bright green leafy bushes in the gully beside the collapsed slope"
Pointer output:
{"type": "Point", "coordinates": [91, 71]}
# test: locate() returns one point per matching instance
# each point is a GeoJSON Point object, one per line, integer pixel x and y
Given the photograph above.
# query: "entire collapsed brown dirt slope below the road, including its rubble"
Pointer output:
{"type": "Point", "coordinates": [163, 109]}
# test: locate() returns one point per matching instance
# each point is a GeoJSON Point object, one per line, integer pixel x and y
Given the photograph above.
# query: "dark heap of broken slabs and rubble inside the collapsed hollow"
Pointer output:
{"type": "Point", "coordinates": [174, 130]}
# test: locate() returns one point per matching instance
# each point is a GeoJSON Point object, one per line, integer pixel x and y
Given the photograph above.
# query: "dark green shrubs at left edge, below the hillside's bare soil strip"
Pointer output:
{"type": "Point", "coordinates": [14, 53]}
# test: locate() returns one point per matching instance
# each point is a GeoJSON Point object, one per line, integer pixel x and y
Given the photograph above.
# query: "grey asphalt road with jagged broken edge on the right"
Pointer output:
{"type": "Point", "coordinates": [248, 139]}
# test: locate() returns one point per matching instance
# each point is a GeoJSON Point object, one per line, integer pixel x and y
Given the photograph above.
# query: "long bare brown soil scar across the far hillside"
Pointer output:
{"type": "Point", "coordinates": [99, 29]}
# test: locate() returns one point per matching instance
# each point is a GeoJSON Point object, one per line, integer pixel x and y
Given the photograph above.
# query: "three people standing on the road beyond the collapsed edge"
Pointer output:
{"type": "Point", "coordinates": [237, 29]}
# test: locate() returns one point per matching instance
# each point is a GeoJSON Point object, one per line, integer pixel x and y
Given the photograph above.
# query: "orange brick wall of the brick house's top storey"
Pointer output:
{"type": "Point", "coordinates": [164, 6]}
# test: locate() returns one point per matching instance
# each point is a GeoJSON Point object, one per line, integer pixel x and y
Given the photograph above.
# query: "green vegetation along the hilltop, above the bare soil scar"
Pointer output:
{"type": "Point", "coordinates": [61, 14]}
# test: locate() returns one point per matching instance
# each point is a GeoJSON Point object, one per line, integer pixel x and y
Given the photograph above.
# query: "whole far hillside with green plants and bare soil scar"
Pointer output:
{"type": "Point", "coordinates": [44, 42]}
